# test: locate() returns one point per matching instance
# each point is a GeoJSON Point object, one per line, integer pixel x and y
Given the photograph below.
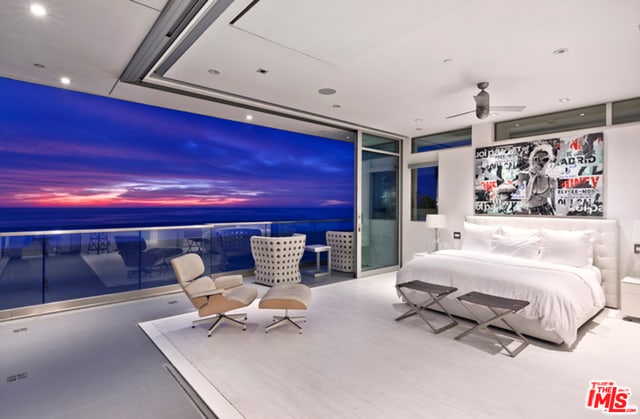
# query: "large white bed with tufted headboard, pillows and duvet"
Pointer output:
{"type": "Point", "coordinates": [566, 269]}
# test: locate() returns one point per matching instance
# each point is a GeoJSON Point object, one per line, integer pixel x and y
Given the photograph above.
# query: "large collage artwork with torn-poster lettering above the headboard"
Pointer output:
{"type": "Point", "coordinates": [550, 177]}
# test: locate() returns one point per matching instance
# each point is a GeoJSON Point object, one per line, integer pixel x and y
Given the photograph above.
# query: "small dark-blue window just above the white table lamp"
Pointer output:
{"type": "Point", "coordinates": [424, 190]}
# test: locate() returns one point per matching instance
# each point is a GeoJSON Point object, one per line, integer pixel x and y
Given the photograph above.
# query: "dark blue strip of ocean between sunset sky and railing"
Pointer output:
{"type": "Point", "coordinates": [16, 219]}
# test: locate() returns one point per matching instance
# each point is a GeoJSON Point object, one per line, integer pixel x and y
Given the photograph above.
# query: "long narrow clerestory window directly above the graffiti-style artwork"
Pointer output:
{"type": "Point", "coordinates": [589, 117]}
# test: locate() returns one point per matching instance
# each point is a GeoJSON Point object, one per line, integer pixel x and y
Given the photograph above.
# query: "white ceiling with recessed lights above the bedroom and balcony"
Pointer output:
{"type": "Point", "coordinates": [386, 60]}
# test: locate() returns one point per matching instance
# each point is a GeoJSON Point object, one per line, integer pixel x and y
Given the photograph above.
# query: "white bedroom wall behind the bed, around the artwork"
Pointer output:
{"type": "Point", "coordinates": [455, 188]}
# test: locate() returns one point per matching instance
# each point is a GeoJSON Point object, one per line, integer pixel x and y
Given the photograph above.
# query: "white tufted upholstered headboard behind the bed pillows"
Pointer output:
{"type": "Point", "coordinates": [605, 247]}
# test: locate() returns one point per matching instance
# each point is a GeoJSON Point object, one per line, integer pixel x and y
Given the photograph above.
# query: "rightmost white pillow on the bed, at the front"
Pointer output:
{"type": "Point", "coordinates": [573, 248]}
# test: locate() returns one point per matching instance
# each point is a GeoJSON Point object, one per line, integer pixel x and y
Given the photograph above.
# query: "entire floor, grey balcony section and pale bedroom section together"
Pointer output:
{"type": "Point", "coordinates": [98, 363]}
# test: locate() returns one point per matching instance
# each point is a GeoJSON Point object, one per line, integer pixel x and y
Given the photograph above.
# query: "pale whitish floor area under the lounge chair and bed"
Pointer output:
{"type": "Point", "coordinates": [354, 361]}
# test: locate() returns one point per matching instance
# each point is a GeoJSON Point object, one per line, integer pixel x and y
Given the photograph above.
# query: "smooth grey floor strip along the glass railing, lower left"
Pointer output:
{"type": "Point", "coordinates": [92, 363]}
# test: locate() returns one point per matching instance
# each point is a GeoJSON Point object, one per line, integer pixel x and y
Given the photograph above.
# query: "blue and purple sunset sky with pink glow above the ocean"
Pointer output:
{"type": "Point", "coordinates": [64, 148]}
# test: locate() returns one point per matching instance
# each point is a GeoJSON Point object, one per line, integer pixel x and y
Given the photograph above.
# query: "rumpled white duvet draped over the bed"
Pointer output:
{"type": "Point", "coordinates": [559, 295]}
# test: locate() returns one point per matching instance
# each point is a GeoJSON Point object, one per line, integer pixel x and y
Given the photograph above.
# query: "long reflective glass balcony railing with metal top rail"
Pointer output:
{"type": "Point", "coordinates": [54, 266]}
